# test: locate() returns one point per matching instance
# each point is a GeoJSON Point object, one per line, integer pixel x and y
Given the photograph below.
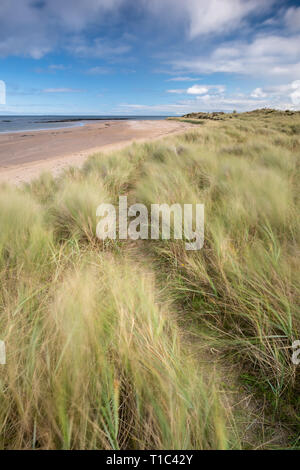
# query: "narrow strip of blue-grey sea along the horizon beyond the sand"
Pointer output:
{"type": "Point", "coordinates": [38, 123]}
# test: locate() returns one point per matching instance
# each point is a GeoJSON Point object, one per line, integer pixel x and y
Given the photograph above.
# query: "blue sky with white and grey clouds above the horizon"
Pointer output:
{"type": "Point", "coordinates": [148, 57]}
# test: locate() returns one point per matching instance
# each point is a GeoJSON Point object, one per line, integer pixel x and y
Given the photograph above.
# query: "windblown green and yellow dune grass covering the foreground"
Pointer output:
{"type": "Point", "coordinates": [140, 345]}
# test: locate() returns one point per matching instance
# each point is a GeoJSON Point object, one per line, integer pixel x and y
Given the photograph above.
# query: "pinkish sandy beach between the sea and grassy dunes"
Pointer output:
{"type": "Point", "coordinates": [24, 155]}
